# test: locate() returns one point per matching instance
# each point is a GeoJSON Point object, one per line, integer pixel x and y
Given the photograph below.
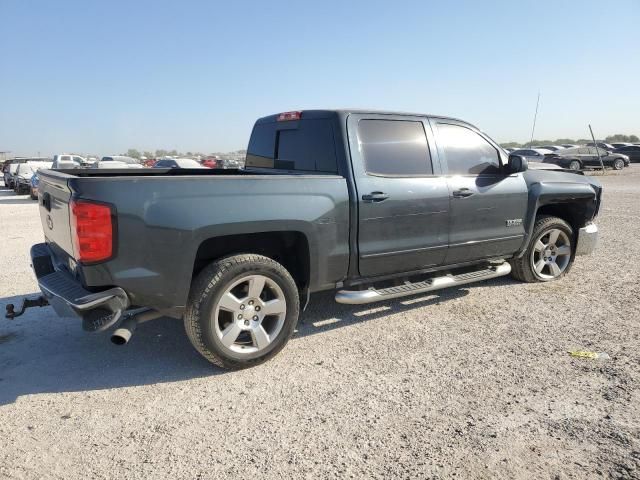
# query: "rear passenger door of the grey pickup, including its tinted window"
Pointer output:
{"type": "Point", "coordinates": [403, 200]}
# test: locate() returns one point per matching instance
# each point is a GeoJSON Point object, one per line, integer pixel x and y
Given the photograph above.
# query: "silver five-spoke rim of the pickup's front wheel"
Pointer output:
{"type": "Point", "coordinates": [551, 254]}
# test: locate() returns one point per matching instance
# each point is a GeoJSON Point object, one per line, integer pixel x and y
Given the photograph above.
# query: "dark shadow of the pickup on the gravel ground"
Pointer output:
{"type": "Point", "coordinates": [43, 353]}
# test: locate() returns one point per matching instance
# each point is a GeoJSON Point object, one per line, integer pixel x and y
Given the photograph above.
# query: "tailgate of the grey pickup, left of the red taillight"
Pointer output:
{"type": "Point", "coordinates": [54, 196]}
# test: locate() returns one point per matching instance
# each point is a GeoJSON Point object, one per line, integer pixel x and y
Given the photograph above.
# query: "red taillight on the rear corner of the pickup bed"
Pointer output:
{"type": "Point", "coordinates": [92, 231]}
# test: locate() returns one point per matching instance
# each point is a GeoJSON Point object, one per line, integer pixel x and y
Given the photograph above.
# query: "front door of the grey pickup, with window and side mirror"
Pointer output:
{"type": "Point", "coordinates": [488, 204]}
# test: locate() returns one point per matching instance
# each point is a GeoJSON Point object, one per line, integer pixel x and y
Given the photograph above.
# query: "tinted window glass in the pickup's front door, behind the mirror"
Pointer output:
{"type": "Point", "coordinates": [466, 152]}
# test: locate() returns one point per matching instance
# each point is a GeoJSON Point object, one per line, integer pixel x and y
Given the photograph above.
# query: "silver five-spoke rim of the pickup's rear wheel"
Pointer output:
{"type": "Point", "coordinates": [249, 314]}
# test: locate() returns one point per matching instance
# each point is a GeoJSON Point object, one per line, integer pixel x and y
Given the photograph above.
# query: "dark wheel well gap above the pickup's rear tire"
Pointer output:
{"type": "Point", "coordinates": [290, 249]}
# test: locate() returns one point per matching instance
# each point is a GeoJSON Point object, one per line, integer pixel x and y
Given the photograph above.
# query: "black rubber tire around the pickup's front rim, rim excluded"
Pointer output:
{"type": "Point", "coordinates": [523, 268]}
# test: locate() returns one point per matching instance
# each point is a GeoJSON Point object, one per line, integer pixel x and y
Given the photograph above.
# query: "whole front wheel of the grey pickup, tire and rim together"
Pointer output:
{"type": "Point", "coordinates": [550, 253]}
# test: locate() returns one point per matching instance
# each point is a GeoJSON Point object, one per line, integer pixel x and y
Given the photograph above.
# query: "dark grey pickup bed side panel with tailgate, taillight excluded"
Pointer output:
{"type": "Point", "coordinates": [180, 212]}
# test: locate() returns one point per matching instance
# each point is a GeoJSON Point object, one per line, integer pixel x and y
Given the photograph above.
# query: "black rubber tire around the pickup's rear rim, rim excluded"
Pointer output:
{"type": "Point", "coordinates": [206, 291]}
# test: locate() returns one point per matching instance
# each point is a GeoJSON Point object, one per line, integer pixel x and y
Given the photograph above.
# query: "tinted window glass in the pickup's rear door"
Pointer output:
{"type": "Point", "coordinates": [394, 147]}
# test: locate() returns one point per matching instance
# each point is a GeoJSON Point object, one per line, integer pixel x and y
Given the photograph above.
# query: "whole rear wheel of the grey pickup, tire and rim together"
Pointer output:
{"type": "Point", "coordinates": [242, 310]}
